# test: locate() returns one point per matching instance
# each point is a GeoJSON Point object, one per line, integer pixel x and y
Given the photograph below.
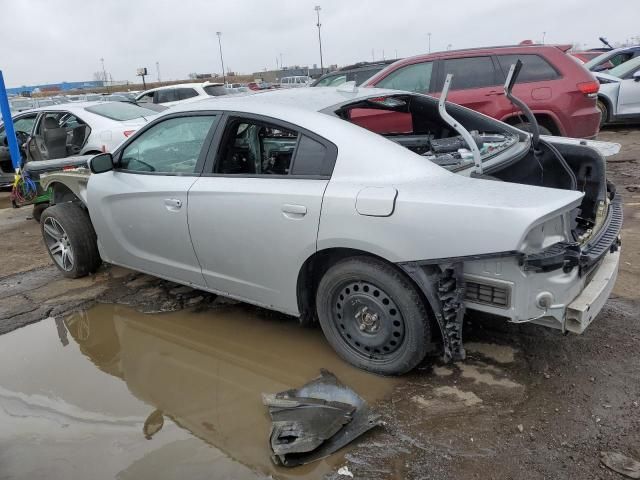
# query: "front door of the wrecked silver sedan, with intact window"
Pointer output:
{"type": "Point", "coordinates": [139, 210]}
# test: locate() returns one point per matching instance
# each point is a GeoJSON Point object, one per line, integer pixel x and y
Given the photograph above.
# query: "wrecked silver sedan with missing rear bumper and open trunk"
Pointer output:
{"type": "Point", "coordinates": [385, 239]}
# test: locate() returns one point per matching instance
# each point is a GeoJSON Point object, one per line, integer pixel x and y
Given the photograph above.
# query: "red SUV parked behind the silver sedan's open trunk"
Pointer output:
{"type": "Point", "coordinates": [560, 92]}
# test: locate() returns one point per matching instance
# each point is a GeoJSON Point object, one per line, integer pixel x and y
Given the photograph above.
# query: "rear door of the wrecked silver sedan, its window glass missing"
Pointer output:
{"type": "Point", "coordinates": [254, 216]}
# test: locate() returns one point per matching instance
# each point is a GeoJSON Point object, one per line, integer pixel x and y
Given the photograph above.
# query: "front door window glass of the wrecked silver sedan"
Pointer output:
{"type": "Point", "coordinates": [172, 146]}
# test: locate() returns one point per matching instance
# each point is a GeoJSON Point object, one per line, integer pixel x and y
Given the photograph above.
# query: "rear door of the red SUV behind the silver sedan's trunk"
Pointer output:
{"type": "Point", "coordinates": [477, 84]}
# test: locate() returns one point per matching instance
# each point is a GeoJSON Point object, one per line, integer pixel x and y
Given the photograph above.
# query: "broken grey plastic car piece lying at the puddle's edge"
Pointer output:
{"type": "Point", "coordinates": [316, 420]}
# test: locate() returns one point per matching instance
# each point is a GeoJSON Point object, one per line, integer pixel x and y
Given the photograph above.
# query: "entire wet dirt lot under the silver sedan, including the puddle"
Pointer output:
{"type": "Point", "coordinates": [160, 381]}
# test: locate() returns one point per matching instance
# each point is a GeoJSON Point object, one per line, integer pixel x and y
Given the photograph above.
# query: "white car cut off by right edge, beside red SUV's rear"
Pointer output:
{"type": "Point", "coordinates": [619, 95]}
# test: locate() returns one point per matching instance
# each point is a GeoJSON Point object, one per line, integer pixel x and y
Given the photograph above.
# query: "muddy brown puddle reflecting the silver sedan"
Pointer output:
{"type": "Point", "coordinates": [112, 393]}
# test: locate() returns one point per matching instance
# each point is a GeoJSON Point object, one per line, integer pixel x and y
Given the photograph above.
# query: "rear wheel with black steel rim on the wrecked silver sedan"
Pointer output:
{"type": "Point", "coordinates": [373, 316]}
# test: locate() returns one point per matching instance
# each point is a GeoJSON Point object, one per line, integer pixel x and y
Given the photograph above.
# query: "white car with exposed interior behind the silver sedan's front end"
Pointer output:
{"type": "Point", "coordinates": [71, 129]}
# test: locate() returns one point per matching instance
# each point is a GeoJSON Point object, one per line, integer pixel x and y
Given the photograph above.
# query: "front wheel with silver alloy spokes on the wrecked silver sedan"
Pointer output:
{"type": "Point", "coordinates": [70, 239]}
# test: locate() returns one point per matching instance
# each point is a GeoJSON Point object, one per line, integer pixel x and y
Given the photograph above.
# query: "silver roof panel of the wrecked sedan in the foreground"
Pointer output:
{"type": "Point", "coordinates": [303, 99]}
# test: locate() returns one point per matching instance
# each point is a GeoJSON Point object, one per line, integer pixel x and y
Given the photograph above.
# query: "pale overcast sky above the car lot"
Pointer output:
{"type": "Point", "coordinates": [43, 41]}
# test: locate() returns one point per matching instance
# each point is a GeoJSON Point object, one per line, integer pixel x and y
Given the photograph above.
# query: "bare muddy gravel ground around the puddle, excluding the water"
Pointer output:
{"type": "Point", "coordinates": [528, 403]}
